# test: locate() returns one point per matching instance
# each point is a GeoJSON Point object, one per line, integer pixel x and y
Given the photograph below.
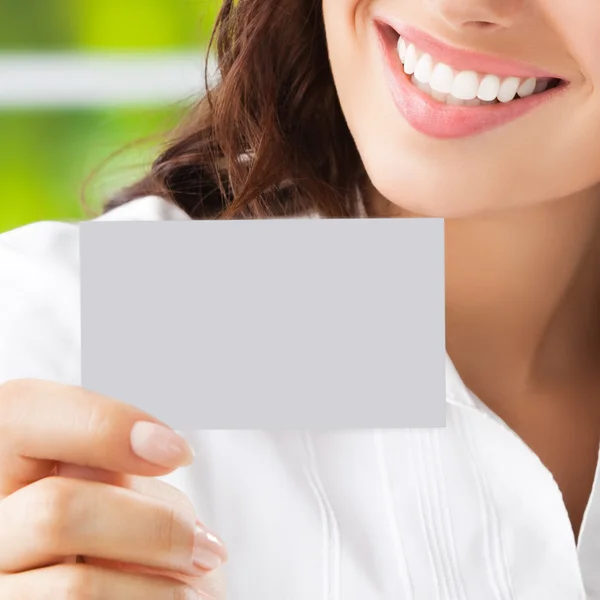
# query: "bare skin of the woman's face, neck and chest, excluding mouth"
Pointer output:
{"type": "Point", "coordinates": [522, 211]}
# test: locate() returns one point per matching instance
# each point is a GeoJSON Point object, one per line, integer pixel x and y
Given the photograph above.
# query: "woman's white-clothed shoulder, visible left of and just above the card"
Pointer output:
{"type": "Point", "coordinates": [39, 293]}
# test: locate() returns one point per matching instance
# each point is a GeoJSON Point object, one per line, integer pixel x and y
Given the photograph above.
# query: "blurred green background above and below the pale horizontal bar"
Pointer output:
{"type": "Point", "coordinates": [48, 151]}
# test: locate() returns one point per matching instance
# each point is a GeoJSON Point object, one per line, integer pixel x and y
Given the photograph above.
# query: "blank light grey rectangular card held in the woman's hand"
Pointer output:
{"type": "Point", "coordinates": [267, 324]}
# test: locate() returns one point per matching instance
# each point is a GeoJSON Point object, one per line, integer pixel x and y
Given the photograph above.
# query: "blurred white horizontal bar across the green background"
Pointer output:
{"type": "Point", "coordinates": [96, 80]}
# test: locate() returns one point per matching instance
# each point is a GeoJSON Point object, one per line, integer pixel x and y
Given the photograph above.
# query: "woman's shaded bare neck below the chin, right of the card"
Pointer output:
{"type": "Point", "coordinates": [523, 295]}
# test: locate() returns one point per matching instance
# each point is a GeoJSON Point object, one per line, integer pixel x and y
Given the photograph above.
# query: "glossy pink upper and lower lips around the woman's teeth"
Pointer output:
{"type": "Point", "coordinates": [443, 121]}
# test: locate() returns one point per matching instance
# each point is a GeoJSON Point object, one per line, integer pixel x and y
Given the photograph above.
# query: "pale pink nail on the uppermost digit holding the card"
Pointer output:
{"type": "Point", "coordinates": [160, 445]}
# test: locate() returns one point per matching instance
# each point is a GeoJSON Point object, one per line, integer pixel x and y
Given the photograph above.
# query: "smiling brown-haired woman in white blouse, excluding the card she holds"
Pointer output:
{"type": "Point", "coordinates": [484, 112]}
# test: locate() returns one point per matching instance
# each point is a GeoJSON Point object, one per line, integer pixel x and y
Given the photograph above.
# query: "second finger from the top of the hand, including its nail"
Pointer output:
{"type": "Point", "coordinates": [58, 517]}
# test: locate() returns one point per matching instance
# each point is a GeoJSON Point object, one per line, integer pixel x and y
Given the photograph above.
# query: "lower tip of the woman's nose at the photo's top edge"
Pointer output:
{"type": "Point", "coordinates": [477, 14]}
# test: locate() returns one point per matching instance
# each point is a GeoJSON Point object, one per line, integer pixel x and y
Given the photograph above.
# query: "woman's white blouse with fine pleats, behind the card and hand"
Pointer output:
{"type": "Point", "coordinates": [466, 512]}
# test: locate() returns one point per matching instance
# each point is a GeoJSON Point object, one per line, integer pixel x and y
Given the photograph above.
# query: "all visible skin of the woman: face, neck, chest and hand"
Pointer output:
{"type": "Point", "coordinates": [523, 252]}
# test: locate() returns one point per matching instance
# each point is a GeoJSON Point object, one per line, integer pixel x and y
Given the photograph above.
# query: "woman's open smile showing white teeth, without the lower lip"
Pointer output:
{"type": "Point", "coordinates": [479, 85]}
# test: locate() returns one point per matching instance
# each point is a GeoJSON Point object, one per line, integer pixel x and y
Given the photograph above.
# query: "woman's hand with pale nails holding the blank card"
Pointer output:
{"type": "Point", "coordinates": [75, 479]}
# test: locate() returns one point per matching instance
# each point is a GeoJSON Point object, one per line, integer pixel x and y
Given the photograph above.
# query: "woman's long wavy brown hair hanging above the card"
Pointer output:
{"type": "Point", "coordinates": [269, 138]}
